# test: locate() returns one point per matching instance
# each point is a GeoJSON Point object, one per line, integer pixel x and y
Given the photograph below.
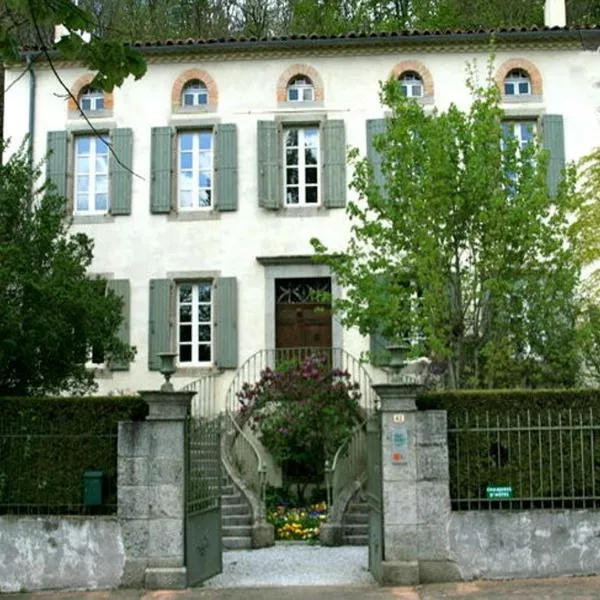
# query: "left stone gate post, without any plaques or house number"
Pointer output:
{"type": "Point", "coordinates": [151, 492]}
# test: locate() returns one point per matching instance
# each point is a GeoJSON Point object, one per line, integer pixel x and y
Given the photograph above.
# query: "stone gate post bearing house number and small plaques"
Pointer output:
{"type": "Point", "coordinates": [415, 492]}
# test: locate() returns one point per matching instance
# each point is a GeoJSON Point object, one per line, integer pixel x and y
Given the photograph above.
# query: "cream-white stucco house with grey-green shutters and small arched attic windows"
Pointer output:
{"type": "Point", "coordinates": [237, 150]}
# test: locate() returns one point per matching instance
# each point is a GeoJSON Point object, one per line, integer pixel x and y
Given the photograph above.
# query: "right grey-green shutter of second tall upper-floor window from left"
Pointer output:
{"type": "Point", "coordinates": [226, 183]}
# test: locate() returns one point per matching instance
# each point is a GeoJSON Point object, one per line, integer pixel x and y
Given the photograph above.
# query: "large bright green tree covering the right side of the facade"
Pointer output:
{"type": "Point", "coordinates": [461, 248]}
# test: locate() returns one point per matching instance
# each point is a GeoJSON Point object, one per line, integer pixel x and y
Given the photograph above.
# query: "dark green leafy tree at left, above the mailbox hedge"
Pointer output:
{"type": "Point", "coordinates": [52, 314]}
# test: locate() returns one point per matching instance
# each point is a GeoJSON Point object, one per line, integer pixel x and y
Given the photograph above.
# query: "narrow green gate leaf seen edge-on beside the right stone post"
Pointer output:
{"type": "Point", "coordinates": [374, 496]}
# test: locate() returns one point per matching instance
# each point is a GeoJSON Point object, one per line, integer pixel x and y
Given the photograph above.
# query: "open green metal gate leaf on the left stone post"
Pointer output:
{"type": "Point", "coordinates": [203, 550]}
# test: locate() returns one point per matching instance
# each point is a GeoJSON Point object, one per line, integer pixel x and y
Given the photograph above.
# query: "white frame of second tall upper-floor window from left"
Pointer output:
{"type": "Point", "coordinates": [196, 169]}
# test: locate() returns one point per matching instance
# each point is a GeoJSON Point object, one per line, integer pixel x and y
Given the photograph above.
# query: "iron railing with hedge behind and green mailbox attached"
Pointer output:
{"type": "Point", "coordinates": [57, 469]}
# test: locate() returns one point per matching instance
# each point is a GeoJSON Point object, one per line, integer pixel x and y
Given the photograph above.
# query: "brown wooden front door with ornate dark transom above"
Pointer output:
{"type": "Point", "coordinates": [300, 321]}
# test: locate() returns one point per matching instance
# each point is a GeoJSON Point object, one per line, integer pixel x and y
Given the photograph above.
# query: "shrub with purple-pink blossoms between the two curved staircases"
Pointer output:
{"type": "Point", "coordinates": [304, 410]}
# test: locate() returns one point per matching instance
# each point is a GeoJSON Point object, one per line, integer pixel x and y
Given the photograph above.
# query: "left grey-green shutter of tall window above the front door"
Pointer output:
{"type": "Point", "coordinates": [269, 152]}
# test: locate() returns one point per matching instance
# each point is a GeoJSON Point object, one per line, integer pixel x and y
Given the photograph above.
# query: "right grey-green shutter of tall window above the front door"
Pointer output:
{"type": "Point", "coordinates": [334, 167]}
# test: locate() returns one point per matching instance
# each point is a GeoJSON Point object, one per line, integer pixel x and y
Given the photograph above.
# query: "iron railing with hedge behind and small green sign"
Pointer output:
{"type": "Point", "coordinates": [526, 460]}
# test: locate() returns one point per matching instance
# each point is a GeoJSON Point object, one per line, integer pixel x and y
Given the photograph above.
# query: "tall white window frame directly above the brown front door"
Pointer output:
{"type": "Point", "coordinates": [301, 166]}
